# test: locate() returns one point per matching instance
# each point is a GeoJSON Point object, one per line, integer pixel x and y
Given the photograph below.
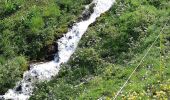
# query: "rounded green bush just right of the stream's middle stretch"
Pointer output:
{"type": "Point", "coordinates": [88, 59]}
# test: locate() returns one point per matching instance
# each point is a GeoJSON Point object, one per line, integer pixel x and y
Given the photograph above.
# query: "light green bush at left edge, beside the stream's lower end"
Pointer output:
{"type": "Point", "coordinates": [11, 72]}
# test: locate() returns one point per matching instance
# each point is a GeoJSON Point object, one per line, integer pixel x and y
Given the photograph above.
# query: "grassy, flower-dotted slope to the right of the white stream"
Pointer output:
{"type": "Point", "coordinates": [109, 52]}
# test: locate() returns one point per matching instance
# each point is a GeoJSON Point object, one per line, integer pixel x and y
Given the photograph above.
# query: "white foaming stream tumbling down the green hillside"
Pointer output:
{"type": "Point", "coordinates": [66, 47]}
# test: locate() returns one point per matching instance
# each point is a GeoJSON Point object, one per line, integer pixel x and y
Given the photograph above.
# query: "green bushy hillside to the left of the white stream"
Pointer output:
{"type": "Point", "coordinates": [27, 29]}
